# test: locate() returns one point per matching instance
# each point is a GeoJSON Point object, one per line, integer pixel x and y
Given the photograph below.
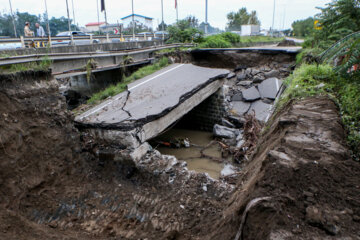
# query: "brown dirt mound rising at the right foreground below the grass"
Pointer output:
{"type": "Point", "coordinates": [303, 170]}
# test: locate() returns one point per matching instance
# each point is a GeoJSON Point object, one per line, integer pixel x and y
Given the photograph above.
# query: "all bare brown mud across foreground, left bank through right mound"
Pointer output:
{"type": "Point", "coordinates": [56, 183]}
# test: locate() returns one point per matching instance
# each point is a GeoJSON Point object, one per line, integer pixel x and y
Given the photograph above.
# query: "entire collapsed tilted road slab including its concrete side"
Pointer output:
{"type": "Point", "coordinates": [152, 104]}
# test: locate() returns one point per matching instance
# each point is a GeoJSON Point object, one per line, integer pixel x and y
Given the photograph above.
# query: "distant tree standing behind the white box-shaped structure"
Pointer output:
{"type": "Point", "coordinates": [242, 17]}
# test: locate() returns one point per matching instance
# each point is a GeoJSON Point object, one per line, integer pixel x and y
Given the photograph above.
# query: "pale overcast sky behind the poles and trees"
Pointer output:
{"type": "Point", "coordinates": [287, 11]}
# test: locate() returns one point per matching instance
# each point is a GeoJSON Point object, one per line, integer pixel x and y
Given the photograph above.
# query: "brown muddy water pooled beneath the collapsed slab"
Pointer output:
{"type": "Point", "coordinates": [192, 155]}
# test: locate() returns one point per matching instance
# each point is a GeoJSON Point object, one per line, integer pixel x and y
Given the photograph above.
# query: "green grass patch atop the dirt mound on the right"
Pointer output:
{"type": "Point", "coordinates": [321, 80]}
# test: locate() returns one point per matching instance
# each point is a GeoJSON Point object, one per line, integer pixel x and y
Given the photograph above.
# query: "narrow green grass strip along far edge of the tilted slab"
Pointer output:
{"type": "Point", "coordinates": [121, 86]}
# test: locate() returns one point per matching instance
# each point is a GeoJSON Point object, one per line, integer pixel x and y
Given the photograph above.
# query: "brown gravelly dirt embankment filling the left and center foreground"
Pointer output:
{"type": "Point", "coordinates": [58, 184]}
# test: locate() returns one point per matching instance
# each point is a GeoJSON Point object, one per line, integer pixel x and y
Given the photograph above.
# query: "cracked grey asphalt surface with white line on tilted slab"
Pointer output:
{"type": "Point", "coordinates": [151, 97]}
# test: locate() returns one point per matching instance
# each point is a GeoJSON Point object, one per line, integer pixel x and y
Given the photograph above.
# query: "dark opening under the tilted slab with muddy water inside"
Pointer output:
{"type": "Point", "coordinates": [191, 139]}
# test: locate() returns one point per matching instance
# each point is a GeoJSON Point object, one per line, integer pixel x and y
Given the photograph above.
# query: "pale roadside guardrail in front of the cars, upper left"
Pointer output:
{"type": "Point", "coordinates": [43, 42]}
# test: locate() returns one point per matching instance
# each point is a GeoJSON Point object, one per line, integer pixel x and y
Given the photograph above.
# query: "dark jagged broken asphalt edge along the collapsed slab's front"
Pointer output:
{"type": "Point", "coordinates": [133, 124]}
